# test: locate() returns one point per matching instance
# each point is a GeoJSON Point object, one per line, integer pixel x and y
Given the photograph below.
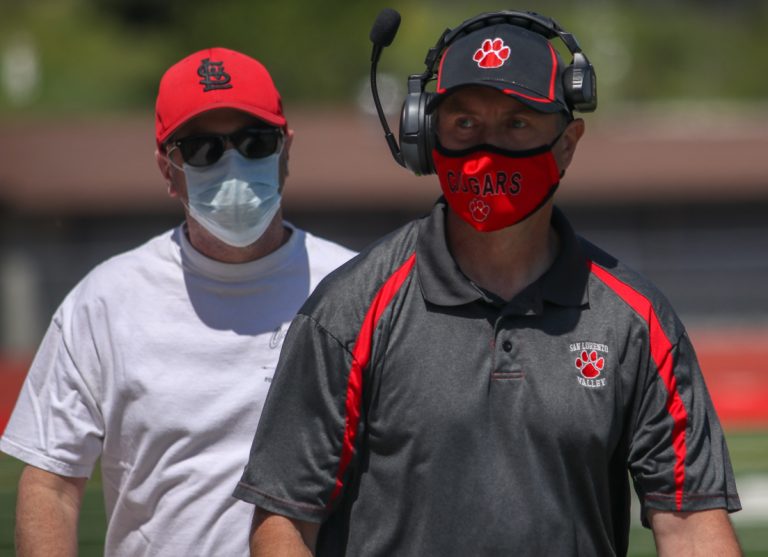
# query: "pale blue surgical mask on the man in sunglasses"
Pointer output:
{"type": "Point", "coordinates": [235, 199]}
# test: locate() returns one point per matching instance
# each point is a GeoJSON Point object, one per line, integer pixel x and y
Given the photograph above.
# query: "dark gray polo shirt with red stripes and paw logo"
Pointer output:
{"type": "Point", "coordinates": [415, 414]}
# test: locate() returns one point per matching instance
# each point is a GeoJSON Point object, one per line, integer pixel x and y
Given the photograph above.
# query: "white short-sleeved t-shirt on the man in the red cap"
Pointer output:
{"type": "Point", "coordinates": [158, 362]}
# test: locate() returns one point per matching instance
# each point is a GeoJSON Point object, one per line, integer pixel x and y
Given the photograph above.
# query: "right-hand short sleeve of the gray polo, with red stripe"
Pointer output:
{"type": "Point", "coordinates": [678, 455]}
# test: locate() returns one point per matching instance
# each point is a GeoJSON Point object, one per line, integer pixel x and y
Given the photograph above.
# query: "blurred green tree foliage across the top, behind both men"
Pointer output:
{"type": "Point", "coordinates": [74, 56]}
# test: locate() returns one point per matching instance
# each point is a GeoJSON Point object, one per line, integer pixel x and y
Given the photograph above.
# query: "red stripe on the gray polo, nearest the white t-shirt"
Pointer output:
{"type": "Point", "coordinates": [361, 355]}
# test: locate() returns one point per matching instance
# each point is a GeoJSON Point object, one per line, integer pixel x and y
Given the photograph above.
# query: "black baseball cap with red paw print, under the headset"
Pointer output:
{"type": "Point", "coordinates": [516, 61]}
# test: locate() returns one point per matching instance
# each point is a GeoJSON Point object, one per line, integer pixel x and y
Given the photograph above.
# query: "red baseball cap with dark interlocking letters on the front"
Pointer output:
{"type": "Point", "coordinates": [215, 78]}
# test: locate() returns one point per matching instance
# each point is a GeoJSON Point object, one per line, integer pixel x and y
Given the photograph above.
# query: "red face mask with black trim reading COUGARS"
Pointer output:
{"type": "Point", "coordinates": [492, 188]}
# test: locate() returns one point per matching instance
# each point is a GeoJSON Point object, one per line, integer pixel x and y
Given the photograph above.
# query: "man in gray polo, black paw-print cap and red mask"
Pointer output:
{"type": "Point", "coordinates": [481, 381]}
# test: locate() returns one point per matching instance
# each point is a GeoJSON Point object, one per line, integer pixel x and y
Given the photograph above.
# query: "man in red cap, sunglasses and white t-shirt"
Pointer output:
{"type": "Point", "coordinates": [158, 362]}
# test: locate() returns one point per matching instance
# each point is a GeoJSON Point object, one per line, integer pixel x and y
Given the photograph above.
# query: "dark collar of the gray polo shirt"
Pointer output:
{"type": "Point", "coordinates": [443, 283]}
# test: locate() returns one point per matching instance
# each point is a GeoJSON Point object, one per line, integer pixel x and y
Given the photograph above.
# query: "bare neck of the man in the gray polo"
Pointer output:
{"type": "Point", "coordinates": [505, 261]}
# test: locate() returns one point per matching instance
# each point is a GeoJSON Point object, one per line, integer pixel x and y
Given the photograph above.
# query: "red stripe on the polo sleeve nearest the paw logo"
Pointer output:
{"type": "Point", "coordinates": [661, 353]}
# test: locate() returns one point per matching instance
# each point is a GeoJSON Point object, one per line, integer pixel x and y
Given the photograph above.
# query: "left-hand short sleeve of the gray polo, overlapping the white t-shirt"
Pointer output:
{"type": "Point", "coordinates": [295, 466]}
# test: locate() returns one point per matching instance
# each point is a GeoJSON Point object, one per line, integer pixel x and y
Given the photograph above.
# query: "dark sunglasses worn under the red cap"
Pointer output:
{"type": "Point", "coordinates": [206, 149]}
